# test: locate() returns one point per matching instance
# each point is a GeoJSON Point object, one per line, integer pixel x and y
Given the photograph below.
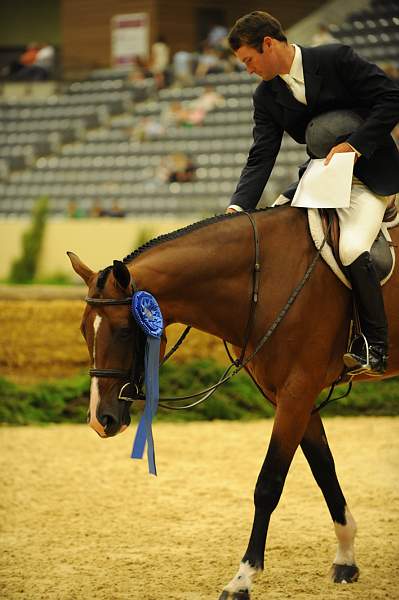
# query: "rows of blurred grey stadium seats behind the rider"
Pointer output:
{"type": "Point", "coordinates": [78, 146]}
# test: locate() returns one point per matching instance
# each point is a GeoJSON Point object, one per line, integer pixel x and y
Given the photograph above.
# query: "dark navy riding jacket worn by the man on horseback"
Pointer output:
{"type": "Point", "coordinates": [335, 78]}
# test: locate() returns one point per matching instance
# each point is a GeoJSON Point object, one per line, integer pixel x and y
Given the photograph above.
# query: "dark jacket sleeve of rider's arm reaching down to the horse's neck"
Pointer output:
{"type": "Point", "coordinates": [262, 155]}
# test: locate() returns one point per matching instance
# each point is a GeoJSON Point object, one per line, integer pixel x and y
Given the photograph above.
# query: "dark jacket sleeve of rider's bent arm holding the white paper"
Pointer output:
{"type": "Point", "coordinates": [373, 90]}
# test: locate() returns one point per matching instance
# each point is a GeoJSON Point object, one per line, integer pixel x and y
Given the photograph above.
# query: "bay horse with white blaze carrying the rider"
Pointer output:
{"type": "Point", "coordinates": [202, 276]}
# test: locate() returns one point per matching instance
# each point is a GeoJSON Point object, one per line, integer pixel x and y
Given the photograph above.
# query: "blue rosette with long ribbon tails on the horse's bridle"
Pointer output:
{"type": "Point", "coordinates": [148, 315]}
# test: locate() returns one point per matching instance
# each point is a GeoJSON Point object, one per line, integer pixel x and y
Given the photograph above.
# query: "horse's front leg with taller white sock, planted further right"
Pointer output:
{"type": "Point", "coordinates": [317, 452]}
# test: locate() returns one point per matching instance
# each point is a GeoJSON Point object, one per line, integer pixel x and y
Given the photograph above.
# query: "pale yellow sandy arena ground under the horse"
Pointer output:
{"type": "Point", "coordinates": [80, 520]}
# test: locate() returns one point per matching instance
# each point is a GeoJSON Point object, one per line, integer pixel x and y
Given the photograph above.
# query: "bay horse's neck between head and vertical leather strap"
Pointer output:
{"type": "Point", "coordinates": [195, 275]}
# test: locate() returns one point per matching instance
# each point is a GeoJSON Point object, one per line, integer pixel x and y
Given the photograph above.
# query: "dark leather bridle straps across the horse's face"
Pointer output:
{"type": "Point", "coordinates": [134, 376]}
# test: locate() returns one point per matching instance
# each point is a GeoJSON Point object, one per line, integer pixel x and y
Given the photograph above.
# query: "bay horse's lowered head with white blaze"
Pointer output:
{"type": "Point", "coordinates": [115, 344]}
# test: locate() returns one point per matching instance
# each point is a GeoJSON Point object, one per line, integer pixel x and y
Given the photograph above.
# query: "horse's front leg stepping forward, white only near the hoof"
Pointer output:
{"type": "Point", "coordinates": [289, 426]}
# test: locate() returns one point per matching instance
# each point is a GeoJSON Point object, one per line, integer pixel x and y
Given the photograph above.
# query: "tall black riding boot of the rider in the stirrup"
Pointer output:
{"type": "Point", "coordinates": [368, 296]}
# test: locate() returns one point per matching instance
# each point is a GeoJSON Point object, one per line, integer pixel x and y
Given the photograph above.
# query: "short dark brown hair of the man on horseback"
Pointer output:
{"type": "Point", "coordinates": [250, 30]}
